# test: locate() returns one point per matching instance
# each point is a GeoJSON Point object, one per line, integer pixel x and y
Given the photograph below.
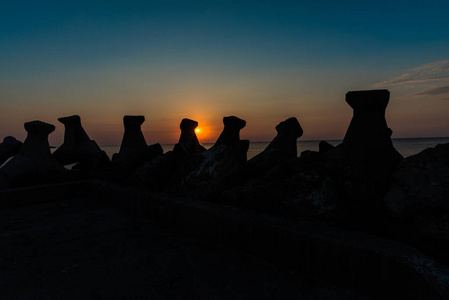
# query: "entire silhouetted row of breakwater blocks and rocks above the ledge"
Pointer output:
{"type": "Point", "coordinates": [363, 183]}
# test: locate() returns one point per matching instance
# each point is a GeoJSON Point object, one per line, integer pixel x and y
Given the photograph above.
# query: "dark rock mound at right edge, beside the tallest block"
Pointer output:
{"type": "Point", "coordinates": [418, 201]}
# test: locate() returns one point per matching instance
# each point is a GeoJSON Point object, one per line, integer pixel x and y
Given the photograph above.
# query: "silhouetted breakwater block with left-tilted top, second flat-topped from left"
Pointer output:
{"type": "Point", "coordinates": [79, 148]}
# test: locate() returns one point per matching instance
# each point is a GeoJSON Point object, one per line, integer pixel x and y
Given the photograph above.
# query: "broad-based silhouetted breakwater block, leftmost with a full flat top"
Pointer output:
{"type": "Point", "coordinates": [33, 164]}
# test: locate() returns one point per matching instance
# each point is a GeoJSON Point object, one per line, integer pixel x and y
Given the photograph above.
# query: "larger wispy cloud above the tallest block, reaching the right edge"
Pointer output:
{"type": "Point", "coordinates": [429, 72]}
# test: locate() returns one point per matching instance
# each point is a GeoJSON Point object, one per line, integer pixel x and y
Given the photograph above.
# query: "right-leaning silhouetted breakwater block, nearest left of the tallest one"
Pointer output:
{"type": "Point", "coordinates": [282, 147]}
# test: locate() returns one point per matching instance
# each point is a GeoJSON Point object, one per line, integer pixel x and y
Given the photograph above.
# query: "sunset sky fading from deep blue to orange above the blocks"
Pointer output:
{"type": "Point", "coordinates": [262, 61]}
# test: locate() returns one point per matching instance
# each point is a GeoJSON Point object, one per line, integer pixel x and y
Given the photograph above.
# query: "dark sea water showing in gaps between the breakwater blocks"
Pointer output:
{"type": "Point", "coordinates": [405, 146]}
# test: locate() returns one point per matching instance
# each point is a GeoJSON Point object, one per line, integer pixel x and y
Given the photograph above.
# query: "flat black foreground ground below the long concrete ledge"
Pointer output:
{"type": "Point", "coordinates": [82, 249]}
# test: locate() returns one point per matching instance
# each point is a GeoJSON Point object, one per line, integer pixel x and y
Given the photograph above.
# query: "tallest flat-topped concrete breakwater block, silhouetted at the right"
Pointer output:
{"type": "Point", "coordinates": [368, 159]}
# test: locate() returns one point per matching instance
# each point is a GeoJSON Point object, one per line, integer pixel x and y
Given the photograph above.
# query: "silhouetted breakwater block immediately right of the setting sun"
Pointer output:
{"type": "Point", "coordinates": [222, 165]}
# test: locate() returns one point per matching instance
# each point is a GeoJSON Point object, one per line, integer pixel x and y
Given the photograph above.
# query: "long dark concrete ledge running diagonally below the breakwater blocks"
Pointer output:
{"type": "Point", "coordinates": [356, 260]}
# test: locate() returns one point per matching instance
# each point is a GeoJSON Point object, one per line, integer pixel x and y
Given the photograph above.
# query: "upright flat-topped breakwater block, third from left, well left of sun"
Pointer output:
{"type": "Point", "coordinates": [134, 150]}
